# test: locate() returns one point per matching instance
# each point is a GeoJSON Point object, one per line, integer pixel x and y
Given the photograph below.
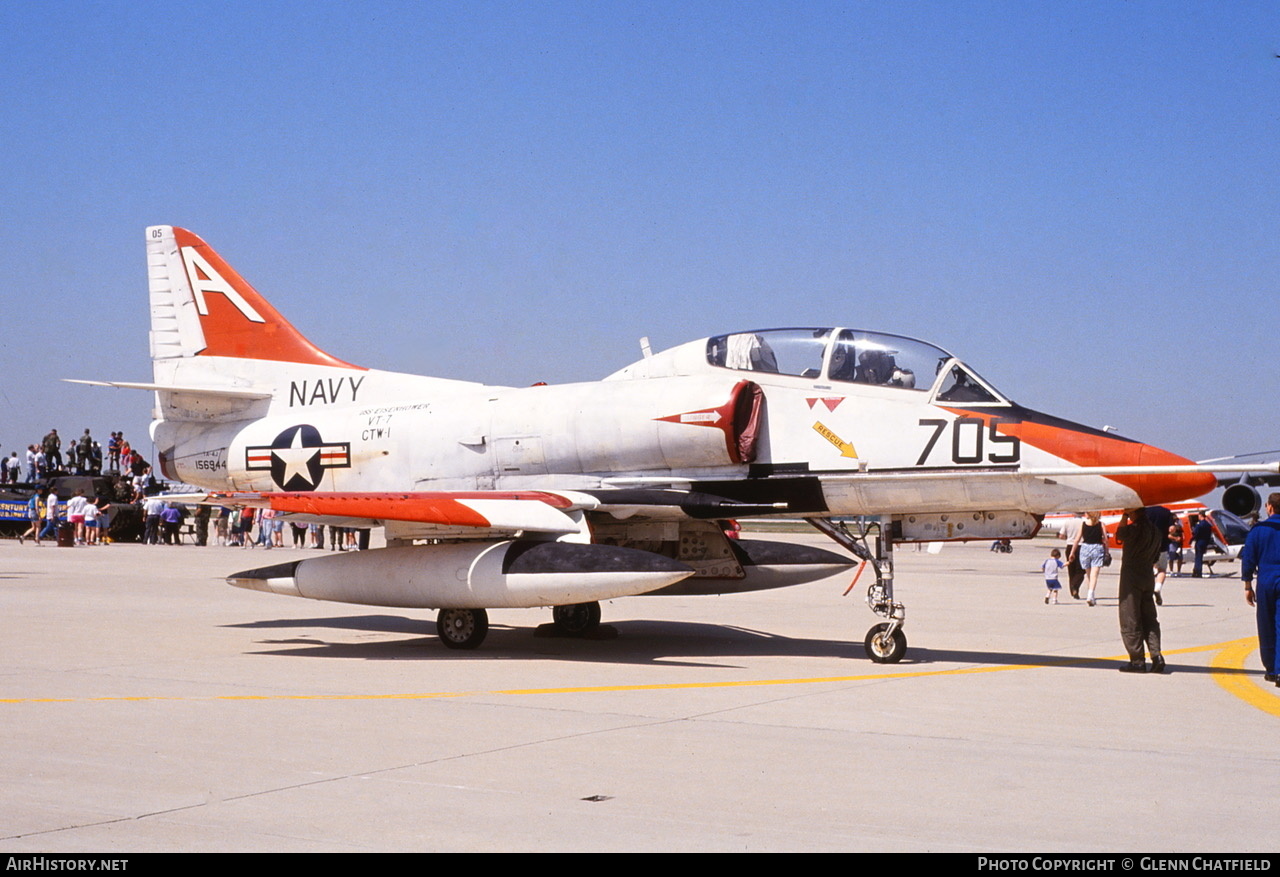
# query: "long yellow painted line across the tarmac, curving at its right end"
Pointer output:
{"type": "Point", "coordinates": [1231, 657]}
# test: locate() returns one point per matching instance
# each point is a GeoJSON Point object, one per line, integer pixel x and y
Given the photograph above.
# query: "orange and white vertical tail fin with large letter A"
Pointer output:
{"type": "Point", "coordinates": [202, 307]}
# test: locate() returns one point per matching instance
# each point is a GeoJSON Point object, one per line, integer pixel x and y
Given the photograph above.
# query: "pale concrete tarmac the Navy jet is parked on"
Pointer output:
{"type": "Point", "coordinates": [148, 706]}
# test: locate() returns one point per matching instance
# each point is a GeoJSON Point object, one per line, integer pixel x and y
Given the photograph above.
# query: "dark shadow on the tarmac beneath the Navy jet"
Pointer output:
{"type": "Point", "coordinates": [642, 642]}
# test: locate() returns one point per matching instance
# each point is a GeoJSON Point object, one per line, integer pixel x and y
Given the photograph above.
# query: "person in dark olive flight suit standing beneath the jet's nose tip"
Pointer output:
{"type": "Point", "coordinates": [1140, 627]}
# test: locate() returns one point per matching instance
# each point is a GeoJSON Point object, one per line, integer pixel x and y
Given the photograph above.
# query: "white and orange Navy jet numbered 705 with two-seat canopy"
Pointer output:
{"type": "Point", "coordinates": [569, 495]}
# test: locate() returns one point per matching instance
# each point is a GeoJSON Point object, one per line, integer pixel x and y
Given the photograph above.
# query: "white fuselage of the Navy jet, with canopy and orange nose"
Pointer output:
{"type": "Point", "coordinates": [833, 422]}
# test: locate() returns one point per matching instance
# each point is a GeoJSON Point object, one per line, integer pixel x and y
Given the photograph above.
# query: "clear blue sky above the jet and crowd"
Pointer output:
{"type": "Point", "coordinates": [1078, 199]}
